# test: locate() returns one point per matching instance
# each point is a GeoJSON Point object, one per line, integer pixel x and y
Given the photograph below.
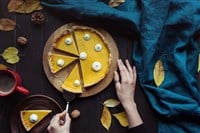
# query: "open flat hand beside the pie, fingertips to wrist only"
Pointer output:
{"type": "Point", "coordinates": [126, 88]}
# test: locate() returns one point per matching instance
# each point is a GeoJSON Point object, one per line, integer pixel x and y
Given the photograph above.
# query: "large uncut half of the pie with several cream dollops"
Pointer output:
{"type": "Point", "coordinates": [94, 56]}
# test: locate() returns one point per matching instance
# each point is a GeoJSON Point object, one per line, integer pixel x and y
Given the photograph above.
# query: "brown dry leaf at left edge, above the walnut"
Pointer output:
{"type": "Point", "coordinates": [7, 24]}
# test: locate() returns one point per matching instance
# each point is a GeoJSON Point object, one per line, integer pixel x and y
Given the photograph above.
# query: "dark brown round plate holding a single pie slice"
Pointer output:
{"type": "Point", "coordinates": [36, 102]}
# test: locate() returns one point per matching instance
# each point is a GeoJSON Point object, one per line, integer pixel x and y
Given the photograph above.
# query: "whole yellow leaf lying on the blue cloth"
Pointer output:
{"type": "Point", "coordinates": [158, 73]}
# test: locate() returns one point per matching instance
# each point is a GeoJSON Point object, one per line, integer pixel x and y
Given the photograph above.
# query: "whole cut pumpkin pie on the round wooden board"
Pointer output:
{"type": "Point", "coordinates": [94, 58]}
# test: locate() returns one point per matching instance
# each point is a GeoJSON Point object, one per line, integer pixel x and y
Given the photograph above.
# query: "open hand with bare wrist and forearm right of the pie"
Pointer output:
{"type": "Point", "coordinates": [126, 91]}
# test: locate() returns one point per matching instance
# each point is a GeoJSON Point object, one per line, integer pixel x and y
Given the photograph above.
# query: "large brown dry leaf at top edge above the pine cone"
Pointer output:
{"type": "Point", "coordinates": [24, 6]}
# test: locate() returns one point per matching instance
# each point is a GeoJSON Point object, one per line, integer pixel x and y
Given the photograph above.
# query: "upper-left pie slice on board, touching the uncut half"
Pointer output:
{"type": "Point", "coordinates": [66, 43]}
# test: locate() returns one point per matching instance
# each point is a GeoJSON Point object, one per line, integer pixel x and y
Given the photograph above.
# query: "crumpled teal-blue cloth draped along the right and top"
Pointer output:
{"type": "Point", "coordinates": [166, 31]}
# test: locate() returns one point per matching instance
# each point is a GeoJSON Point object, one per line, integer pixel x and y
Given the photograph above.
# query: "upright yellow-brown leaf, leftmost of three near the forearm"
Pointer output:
{"type": "Point", "coordinates": [106, 118]}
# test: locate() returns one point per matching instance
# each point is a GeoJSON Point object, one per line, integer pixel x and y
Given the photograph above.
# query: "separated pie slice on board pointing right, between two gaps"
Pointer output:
{"type": "Point", "coordinates": [58, 61]}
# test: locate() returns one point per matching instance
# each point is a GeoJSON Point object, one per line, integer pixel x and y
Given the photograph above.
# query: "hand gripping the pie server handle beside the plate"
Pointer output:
{"type": "Point", "coordinates": [60, 123]}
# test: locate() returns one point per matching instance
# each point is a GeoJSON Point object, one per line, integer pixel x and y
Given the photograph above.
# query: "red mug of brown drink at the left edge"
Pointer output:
{"type": "Point", "coordinates": [9, 82]}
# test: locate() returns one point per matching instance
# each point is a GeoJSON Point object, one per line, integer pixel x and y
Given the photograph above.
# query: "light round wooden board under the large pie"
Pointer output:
{"type": "Point", "coordinates": [57, 79]}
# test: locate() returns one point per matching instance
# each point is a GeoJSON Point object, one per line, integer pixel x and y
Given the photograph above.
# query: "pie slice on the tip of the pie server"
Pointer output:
{"type": "Point", "coordinates": [73, 82]}
